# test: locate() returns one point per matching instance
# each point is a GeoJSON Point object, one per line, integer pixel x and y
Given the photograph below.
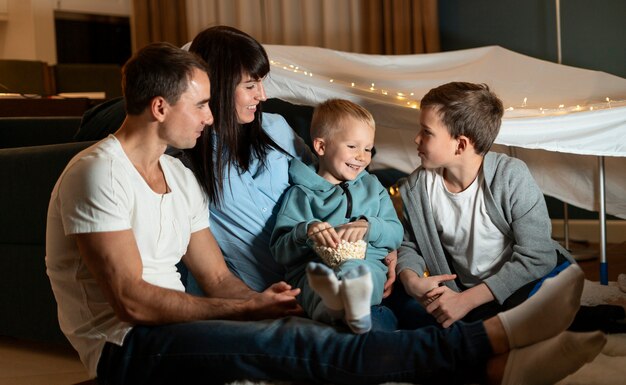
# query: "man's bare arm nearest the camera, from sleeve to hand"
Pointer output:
{"type": "Point", "coordinates": [113, 259]}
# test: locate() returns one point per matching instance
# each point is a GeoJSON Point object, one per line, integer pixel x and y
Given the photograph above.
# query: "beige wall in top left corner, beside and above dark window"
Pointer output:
{"type": "Point", "coordinates": [27, 26]}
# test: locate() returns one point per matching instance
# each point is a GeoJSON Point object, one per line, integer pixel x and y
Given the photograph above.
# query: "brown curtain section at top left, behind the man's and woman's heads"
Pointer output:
{"type": "Point", "coordinates": [158, 20]}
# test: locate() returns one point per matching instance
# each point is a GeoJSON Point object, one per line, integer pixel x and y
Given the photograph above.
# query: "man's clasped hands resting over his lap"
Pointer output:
{"type": "Point", "coordinates": [278, 300]}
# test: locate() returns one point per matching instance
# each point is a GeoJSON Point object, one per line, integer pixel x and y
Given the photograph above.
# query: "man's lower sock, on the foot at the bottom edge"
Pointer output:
{"type": "Point", "coordinates": [552, 360]}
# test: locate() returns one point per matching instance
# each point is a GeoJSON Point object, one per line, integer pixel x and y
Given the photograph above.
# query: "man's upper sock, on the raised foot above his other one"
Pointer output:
{"type": "Point", "coordinates": [547, 313]}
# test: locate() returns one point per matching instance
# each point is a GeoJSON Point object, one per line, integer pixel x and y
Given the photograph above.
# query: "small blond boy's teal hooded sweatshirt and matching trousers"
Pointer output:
{"type": "Point", "coordinates": [313, 198]}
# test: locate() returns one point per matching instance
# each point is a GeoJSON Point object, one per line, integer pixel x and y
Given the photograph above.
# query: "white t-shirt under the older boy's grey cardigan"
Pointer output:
{"type": "Point", "coordinates": [478, 249]}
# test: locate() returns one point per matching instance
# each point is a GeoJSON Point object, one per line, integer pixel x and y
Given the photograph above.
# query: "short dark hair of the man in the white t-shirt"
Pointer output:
{"type": "Point", "coordinates": [158, 69]}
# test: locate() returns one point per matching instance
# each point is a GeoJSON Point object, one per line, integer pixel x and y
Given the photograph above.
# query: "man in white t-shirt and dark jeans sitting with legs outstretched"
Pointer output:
{"type": "Point", "coordinates": [122, 214]}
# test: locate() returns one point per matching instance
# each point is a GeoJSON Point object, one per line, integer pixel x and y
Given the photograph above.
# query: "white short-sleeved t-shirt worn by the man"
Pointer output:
{"type": "Point", "coordinates": [99, 191]}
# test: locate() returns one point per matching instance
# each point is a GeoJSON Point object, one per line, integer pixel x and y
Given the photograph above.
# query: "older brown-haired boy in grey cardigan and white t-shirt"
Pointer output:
{"type": "Point", "coordinates": [475, 220]}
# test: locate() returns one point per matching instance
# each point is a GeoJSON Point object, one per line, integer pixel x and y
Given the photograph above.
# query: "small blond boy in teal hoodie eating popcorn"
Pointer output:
{"type": "Point", "coordinates": [339, 192]}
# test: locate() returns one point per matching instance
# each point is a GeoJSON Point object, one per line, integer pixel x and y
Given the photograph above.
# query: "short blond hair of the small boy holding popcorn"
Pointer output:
{"type": "Point", "coordinates": [328, 117]}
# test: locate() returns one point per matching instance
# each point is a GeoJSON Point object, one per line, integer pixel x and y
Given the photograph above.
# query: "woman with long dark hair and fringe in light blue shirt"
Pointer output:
{"type": "Point", "coordinates": [242, 162]}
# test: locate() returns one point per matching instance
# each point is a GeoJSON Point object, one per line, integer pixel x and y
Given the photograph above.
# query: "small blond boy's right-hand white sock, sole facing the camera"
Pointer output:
{"type": "Point", "coordinates": [356, 292]}
